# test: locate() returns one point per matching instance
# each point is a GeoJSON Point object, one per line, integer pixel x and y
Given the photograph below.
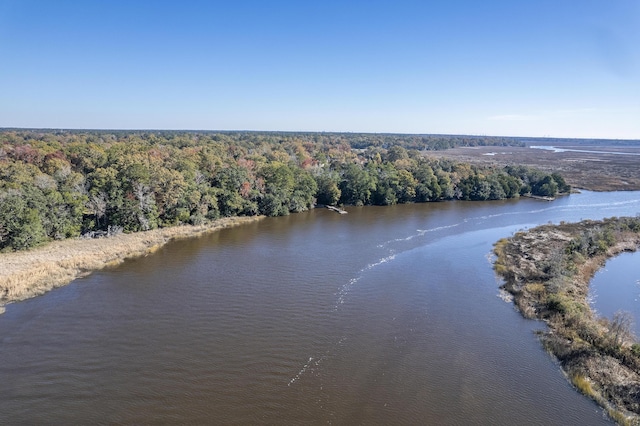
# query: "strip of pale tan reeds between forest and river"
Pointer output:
{"type": "Point", "coordinates": [31, 273]}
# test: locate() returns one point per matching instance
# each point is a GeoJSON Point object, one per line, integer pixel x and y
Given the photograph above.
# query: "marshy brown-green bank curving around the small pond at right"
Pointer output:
{"type": "Point", "coordinates": [547, 270]}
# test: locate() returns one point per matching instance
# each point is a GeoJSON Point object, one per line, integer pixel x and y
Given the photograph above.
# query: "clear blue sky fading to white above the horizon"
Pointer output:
{"type": "Point", "coordinates": [561, 68]}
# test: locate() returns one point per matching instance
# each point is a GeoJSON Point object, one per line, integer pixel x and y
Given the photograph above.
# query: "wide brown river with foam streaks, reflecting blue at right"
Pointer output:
{"type": "Point", "coordinates": [386, 315]}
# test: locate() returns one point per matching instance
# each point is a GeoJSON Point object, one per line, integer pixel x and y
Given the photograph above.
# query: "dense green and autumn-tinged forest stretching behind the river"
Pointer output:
{"type": "Point", "coordinates": [62, 184]}
